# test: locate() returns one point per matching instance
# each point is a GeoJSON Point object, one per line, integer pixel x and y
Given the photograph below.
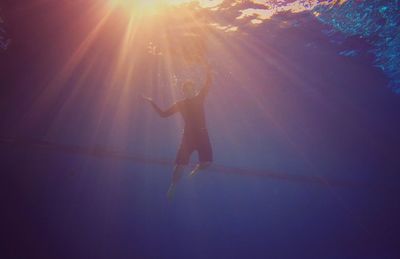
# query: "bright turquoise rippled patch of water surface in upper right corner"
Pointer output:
{"type": "Point", "coordinates": [378, 23]}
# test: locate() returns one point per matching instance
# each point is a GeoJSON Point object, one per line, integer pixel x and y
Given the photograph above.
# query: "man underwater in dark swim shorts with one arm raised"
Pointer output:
{"type": "Point", "coordinates": [195, 134]}
